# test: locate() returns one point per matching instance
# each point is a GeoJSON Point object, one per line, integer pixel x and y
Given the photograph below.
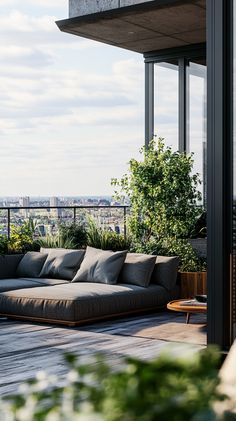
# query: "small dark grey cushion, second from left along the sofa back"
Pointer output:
{"type": "Point", "coordinates": [31, 264]}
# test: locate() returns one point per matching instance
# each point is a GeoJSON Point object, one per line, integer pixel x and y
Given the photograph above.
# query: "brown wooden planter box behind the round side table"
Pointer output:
{"type": "Point", "coordinates": [192, 283]}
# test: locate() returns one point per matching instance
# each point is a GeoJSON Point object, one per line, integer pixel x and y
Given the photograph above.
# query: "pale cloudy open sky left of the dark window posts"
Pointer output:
{"type": "Point", "coordinates": [71, 109]}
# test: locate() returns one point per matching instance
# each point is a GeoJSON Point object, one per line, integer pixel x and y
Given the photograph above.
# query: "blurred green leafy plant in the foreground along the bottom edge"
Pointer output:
{"type": "Point", "coordinates": [167, 388]}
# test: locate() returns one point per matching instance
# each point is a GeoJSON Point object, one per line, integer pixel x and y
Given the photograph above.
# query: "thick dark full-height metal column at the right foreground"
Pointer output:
{"type": "Point", "coordinates": [219, 173]}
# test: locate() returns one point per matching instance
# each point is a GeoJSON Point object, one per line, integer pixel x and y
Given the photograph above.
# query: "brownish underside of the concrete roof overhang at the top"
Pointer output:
{"type": "Point", "coordinates": [144, 30]}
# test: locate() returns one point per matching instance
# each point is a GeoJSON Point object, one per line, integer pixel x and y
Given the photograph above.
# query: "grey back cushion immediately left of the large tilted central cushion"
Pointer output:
{"type": "Point", "coordinates": [61, 263]}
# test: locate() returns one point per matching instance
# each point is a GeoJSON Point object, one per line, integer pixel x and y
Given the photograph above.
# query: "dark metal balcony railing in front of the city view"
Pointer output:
{"type": "Point", "coordinates": [14, 215]}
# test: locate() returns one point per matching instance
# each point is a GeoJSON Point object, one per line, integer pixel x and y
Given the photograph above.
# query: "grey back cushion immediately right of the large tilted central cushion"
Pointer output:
{"type": "Point", "coordinates": [137, 269]}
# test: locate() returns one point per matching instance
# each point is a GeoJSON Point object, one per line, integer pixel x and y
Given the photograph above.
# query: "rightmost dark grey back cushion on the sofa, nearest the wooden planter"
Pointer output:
{"type": "Point", "coordinates": [165, 271]}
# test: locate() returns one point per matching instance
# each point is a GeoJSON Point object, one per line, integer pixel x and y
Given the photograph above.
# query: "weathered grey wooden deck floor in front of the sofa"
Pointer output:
{"type": "Point", "coordinates": [26, 348]}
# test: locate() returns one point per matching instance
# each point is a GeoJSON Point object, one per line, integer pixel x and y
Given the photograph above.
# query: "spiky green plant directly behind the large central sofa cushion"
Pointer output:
{"type": "Point", "coordinates": [101, 238]}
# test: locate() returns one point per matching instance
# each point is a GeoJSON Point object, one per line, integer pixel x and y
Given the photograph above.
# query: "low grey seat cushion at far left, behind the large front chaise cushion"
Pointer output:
{"type": "Point", "coordinates": [10, 284]}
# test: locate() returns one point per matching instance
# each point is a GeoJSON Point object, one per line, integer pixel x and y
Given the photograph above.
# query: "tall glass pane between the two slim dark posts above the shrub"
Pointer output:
{"type": "Point", "coordinates": [166, 102]}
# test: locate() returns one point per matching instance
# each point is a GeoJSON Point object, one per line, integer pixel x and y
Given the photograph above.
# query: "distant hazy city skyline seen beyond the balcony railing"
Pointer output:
{"type": "Point", "coordinates": [47, 213]}
